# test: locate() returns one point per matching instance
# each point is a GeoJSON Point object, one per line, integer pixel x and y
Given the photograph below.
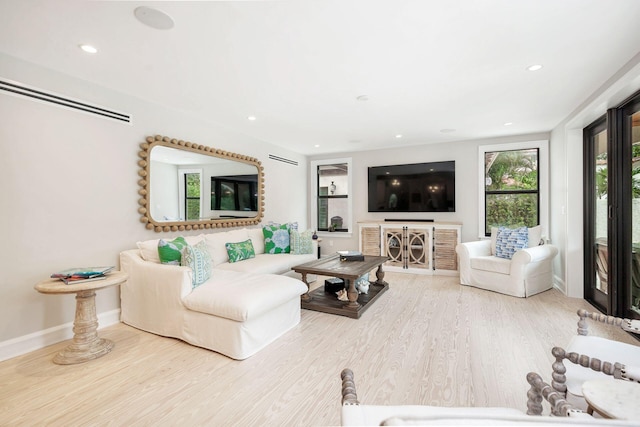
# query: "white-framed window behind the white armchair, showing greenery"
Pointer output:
{"type": "Point", "coordinates": [513, 185]}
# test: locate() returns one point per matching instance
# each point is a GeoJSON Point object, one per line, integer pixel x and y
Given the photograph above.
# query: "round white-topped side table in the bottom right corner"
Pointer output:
{"type": "Point", "coordinates": [613, 398]}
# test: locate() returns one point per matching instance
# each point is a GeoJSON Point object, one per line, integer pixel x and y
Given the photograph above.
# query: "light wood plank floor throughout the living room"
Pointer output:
{"type": "Point", "coordinates": [428, 340]}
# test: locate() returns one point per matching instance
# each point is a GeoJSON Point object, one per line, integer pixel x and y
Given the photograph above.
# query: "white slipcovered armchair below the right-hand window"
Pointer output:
{"type": "Point", "coordinates": [527, 273]}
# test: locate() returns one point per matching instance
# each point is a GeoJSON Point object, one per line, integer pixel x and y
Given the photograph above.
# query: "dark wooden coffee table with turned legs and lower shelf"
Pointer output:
{"type": "Point", "coordinates": [349, 271]}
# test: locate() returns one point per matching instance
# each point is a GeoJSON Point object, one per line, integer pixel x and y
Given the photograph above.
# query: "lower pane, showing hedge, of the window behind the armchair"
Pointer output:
{"type": "Point", "coordinates": [511, 210]}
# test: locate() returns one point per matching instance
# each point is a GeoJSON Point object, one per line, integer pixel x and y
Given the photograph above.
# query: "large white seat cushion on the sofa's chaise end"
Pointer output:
{"type": "Point", "coordinates": [242, 296]}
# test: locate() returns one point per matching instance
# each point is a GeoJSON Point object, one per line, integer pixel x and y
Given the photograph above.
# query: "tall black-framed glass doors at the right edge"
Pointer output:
{"type": "Point", "coordinates": [612, 211]}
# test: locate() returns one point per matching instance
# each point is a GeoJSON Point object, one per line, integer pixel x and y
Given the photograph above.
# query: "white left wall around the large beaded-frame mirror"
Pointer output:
{"type": "Point", "coordinates": [69, 189]}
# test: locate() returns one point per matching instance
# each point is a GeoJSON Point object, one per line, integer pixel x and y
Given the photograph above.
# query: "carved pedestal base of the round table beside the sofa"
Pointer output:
{"type": "Point", "coordinates": [85, 344]}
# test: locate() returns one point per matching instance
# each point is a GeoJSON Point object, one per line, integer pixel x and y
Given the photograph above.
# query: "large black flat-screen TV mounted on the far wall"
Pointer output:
{"type": "Point", "coordinates": [417, 187]}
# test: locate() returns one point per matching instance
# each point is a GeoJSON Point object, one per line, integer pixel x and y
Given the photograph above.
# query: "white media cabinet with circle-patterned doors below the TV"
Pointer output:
{"type": "Point", "coordinates": [413, 247]}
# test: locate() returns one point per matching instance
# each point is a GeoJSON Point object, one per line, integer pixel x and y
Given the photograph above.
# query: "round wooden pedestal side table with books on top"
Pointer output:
{"type": "Point", "coordinates": [85, 344]}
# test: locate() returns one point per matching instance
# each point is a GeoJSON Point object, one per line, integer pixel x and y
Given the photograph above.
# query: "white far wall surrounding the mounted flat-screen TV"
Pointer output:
{"type": "Point", "coordinates": [465, 155]}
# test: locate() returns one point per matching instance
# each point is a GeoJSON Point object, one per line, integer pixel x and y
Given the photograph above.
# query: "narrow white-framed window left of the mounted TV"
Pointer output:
{"type": "Point", "coordinates": [331, 195]}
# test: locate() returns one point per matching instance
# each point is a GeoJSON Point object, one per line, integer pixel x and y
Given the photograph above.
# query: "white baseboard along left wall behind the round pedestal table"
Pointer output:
{"type": "Point", "coordinates": [37, 340]}
